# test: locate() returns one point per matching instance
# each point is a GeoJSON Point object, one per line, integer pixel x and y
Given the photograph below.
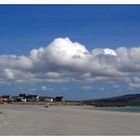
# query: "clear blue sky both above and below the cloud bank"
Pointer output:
{"type": "Point", "coordinates": [25, 27]}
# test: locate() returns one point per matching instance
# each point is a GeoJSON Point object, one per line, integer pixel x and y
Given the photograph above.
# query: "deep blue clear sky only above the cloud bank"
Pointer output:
{"type": "Point", "coordinates": [27, 27]}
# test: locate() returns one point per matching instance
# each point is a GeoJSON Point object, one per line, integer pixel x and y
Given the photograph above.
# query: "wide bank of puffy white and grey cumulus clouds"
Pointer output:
{"type": "Point", "coordinates": [66, 61]}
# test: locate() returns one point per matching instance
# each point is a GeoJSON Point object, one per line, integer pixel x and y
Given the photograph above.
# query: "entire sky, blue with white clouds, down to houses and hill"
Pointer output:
{"type": "Point", "coordinates": [78, 51]}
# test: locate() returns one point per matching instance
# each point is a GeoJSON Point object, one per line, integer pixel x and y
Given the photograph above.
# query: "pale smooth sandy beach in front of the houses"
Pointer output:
{"type": "Point", "coordinates": [65, 120]}
